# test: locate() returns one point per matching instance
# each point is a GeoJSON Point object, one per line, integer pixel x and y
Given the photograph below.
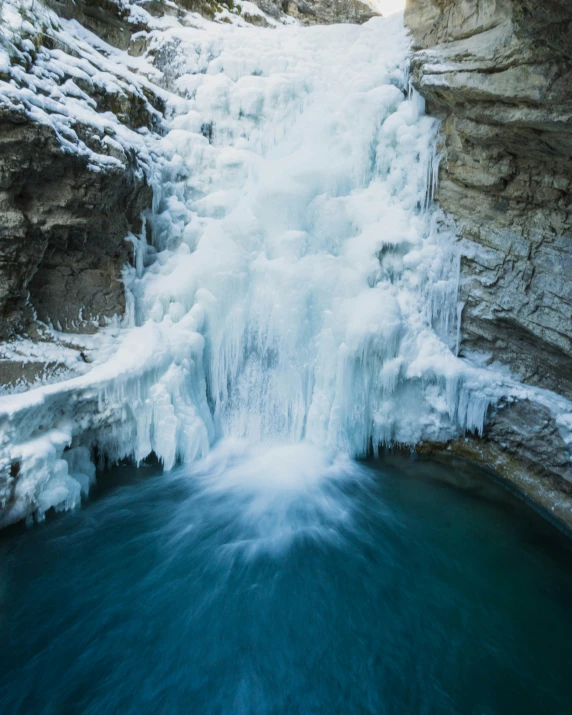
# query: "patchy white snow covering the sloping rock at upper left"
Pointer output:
{"type": "Point", "coordinates": [44, 85]}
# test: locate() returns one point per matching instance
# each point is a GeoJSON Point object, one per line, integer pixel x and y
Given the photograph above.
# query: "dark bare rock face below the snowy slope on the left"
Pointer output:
{"type": "Point", "coordinates": [62, 237]}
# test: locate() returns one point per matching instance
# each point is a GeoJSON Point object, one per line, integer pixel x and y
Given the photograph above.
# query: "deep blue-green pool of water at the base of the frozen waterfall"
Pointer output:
{"type": "Point", "coordinates": [284, 581]}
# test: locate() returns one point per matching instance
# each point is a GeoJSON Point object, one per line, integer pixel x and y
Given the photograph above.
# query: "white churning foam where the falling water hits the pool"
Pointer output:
{"type": "Point", "coordinates": [271, 495]}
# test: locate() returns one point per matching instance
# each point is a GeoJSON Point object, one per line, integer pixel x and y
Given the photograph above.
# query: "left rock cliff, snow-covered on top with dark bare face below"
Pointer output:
{"type": "Point", "coordinates": [73, 183]}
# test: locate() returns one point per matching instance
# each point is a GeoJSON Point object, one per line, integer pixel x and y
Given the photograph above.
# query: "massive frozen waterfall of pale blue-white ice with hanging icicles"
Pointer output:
{"type": "Point", "coordinates": [293, 283]}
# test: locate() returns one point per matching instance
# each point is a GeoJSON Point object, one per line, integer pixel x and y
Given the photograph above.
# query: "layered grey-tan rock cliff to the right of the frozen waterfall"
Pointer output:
{"type": "Point", "coordinates": [499, 74]}
